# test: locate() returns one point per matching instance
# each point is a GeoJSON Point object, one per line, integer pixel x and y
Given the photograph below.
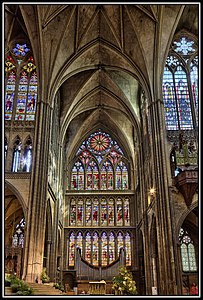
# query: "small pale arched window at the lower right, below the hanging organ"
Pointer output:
{"type": "Point", "coordinates": [187, 252]}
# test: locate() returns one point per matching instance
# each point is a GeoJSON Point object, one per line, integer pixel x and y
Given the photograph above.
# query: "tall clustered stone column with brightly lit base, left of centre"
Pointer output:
{"type": "Point", "coordinates": [36, 217]}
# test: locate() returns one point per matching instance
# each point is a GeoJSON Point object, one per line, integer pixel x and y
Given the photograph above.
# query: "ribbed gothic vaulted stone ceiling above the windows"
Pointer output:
{"type": "Point", "coordinates": [99, 57]}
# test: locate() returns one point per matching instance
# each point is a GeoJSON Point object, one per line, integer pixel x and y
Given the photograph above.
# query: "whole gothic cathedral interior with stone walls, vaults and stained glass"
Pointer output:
{"type": "Point", "coordinates": [101, 139]}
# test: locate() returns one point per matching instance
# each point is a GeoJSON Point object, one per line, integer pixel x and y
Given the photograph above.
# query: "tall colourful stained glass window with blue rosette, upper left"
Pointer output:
{"type": "Point", "coordinates": [20, 84]}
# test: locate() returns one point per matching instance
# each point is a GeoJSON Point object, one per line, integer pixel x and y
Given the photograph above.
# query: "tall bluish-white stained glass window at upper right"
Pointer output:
{"type": "Point", "coordinates": [180, 85]}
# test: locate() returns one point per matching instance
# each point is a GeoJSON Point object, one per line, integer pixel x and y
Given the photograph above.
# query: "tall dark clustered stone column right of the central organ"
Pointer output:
{"type": "Point", "coordinates": [167, 275]}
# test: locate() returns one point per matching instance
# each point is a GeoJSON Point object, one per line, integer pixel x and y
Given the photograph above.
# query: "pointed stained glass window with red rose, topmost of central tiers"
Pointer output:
{"type": "Point", "coordinates": [99, 164]}
